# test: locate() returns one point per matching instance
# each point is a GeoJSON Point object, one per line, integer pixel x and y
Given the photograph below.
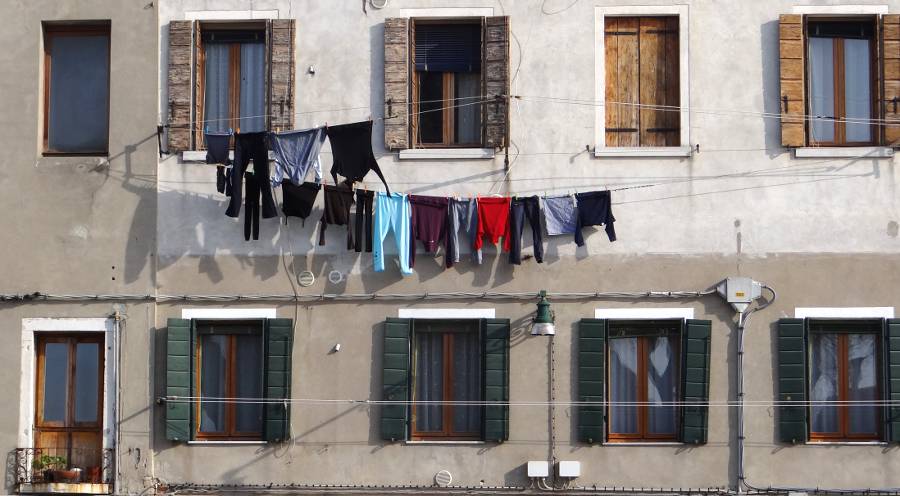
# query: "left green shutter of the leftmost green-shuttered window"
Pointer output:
{"type": "Point", "coordinates": [178, 379]}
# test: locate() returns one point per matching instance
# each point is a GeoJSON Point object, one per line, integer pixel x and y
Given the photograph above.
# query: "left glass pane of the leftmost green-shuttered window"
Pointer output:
{"type": "Point", "coordinates": [213, 351]}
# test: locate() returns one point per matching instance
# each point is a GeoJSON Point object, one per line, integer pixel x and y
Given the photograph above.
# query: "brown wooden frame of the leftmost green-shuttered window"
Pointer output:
{"type": "Point", "coordinates": [231, 370]}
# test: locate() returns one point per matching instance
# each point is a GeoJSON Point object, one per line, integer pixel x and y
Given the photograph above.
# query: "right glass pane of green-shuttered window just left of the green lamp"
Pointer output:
{"type": "Point", "coordinates": [466, 382]}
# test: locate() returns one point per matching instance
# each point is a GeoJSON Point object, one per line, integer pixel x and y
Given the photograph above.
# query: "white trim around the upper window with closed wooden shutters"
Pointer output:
{"type": "Point", "coordinates": [600, 15]}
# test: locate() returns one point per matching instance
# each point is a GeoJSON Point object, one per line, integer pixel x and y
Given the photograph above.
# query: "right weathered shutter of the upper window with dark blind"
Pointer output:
{"type": "Point", "coordinates": [495, 73]}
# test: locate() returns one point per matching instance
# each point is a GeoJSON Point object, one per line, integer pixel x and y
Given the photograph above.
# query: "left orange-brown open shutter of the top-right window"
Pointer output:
{"type": "Point", "coordinates": [793, 92]}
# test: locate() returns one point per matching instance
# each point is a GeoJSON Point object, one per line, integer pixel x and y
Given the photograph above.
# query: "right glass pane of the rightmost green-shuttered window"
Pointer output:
{"type": "Point", "coordinates": [863, 383]}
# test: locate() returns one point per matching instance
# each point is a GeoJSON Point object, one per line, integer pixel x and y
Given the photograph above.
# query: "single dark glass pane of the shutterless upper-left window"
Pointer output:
{"type": "Point", "coordinates": [79, 93]}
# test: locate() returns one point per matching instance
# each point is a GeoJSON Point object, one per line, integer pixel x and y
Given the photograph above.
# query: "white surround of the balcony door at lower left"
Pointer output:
{"type": "Point", "coordinates": [32, 326]}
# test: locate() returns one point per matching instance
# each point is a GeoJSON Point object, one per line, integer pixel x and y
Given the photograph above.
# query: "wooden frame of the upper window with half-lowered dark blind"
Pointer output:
{"type": "Point", "coordinates": [448, 104]}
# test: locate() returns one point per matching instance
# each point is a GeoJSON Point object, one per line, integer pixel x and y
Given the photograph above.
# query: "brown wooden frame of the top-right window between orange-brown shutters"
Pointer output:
{"type": "Point", "coordinates": [840, 128]}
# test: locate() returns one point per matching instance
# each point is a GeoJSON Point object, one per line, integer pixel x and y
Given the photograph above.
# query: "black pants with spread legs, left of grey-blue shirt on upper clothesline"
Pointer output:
{"type": "Point", "coordinates": [249, 146]}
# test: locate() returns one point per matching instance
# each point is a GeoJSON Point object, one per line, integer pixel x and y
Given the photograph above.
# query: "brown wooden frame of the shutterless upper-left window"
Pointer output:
{"type": "Point", "coordinates": [52, 31]}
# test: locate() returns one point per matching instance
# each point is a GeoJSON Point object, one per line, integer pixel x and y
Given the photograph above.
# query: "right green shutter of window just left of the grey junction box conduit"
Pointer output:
{"type": "Point", "coordinates": [695, 381]}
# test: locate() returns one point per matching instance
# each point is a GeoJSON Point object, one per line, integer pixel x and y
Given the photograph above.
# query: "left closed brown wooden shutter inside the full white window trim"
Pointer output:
{"type": "Point", "coordinates": [622, 81]}
